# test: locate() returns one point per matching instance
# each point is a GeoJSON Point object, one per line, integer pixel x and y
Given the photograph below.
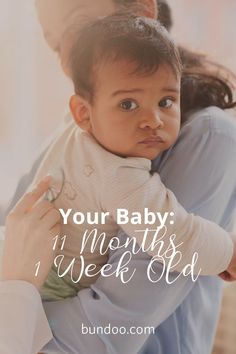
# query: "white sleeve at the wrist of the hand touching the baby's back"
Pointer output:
{"type": "Point", "coordinates": [23, 324]}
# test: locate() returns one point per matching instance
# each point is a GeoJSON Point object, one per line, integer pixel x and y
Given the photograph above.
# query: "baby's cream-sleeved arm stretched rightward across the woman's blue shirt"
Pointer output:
{"type": "Point", "coordinates": [134, 188]}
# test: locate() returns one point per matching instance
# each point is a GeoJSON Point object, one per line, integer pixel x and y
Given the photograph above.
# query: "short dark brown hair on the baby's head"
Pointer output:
{"type": "Point", "coordinates": [138, 40]}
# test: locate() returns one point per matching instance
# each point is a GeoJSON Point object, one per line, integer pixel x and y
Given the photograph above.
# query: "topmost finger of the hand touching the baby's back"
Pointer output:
{"type": "Point", "coordinates": [29, 199]}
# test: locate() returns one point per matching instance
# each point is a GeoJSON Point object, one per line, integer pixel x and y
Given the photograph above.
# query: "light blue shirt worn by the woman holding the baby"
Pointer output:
{"type": "Point", "coordinates": [200, 170]}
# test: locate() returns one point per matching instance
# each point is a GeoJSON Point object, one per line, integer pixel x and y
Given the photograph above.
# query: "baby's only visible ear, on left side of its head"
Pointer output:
{"type": "Point", "coordinates": [80, 110]}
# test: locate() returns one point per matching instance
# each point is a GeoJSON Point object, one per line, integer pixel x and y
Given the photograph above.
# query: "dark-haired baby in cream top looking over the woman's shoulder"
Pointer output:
{"type": "Point", "coordinates": [126, 72]}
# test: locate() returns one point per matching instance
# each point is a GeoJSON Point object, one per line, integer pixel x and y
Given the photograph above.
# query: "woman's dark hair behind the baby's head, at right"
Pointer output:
{"type": "Point", "coordinates": [204, 82]}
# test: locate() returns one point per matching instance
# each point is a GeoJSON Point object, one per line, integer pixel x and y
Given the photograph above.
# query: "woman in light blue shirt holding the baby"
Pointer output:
{"type": "Point", "coordinates": [195, 170]}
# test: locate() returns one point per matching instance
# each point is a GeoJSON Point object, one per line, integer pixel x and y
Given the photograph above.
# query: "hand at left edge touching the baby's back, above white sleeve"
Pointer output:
{"type": "Point", "coordinates": [30, 229]}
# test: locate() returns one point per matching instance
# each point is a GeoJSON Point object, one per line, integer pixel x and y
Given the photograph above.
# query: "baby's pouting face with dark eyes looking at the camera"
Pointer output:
{"type": "Point", "coordinates": [135, 115]}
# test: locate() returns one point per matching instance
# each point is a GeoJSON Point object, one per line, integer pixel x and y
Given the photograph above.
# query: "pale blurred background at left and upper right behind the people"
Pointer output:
{"type": "Point", "coordinates": [34, 91]}
